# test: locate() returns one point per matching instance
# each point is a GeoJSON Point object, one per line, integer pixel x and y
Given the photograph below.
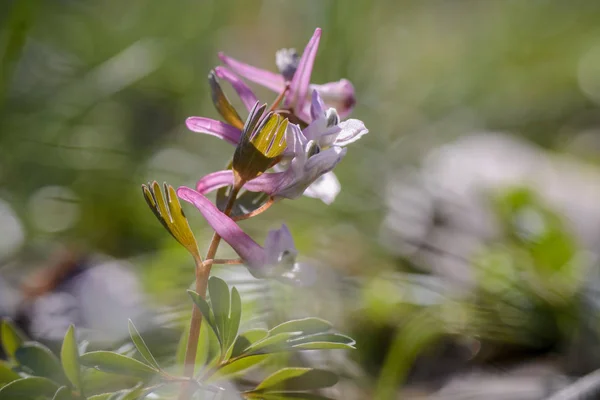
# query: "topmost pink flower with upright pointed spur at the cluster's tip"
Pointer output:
{"type": "Point", "coordinates": [297, 73]}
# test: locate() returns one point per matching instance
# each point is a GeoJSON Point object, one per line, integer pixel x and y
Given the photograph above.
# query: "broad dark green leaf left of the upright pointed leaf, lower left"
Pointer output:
{"type": "Point", "coordinates": [41, 361]}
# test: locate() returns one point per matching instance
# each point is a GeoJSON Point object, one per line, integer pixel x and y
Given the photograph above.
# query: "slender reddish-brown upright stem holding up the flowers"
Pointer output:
{"type": "Point", "coordinates": [202, 275]}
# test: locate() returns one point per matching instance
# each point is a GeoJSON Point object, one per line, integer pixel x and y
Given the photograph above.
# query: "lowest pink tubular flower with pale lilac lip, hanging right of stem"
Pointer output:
{"type": "Point", "coordinates": [277, 259]}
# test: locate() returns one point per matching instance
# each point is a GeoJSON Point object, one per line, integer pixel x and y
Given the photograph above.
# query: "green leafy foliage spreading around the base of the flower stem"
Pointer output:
{"type": "Point", "coordinates": [106, 375]}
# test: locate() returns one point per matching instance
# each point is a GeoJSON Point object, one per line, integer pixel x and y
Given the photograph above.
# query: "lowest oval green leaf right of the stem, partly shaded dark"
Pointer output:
{"type": "Point", "coordinates": [294, 379]}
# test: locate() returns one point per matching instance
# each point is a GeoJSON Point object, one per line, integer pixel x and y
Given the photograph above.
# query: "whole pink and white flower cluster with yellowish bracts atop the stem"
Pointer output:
{"type": "Point", "coordinates": [281, 151]}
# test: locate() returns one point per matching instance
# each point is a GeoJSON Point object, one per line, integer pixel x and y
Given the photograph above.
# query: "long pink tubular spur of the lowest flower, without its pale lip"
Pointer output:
{"type": "Point", "coordinates": [244, 246]}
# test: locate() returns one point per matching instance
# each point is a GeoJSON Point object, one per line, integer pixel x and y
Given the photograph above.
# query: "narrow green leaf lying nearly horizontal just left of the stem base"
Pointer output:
{"type": "Point", "coordinates": [107, 361]}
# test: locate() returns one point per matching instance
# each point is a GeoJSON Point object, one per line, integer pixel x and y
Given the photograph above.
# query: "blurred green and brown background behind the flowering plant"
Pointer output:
{"type": "Point", "coordinates": [462, 252]}
